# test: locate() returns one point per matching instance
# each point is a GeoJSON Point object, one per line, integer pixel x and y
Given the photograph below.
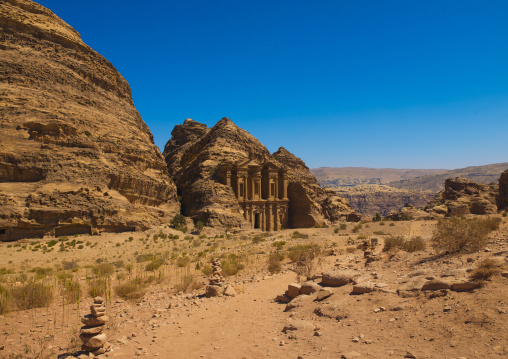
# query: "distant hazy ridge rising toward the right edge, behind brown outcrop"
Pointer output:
{"type": "Point", "coordinates": [434, 182]}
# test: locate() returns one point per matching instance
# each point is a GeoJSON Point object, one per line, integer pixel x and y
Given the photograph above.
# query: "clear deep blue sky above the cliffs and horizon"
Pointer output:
{"type": "Point", "coordinates": [403, 84]}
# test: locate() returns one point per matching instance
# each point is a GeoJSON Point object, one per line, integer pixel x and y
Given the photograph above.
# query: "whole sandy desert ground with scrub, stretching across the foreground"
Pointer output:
{"type": "Point", "coordinates": [170, 317]}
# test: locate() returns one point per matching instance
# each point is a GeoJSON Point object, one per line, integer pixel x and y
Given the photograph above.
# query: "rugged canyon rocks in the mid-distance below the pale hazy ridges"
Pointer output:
{"type": "Point", "coordinates": [372, 199]}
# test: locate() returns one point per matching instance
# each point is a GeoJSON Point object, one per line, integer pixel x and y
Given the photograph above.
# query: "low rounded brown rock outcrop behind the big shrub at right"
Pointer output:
{"type": "Point", "coordinates": [463, 196]}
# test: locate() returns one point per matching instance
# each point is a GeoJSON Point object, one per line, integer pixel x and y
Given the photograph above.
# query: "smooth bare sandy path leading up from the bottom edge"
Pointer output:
{"type": "Point", "coordinates": [246, 326]}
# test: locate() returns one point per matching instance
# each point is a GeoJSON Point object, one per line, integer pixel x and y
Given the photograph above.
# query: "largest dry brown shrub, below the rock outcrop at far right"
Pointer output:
{"type": "Point", "coordinates": [463, 235]}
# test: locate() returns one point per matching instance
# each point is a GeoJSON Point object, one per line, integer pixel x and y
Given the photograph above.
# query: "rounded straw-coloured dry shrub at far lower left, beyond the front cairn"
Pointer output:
{"type": "Point", "coordinates": [33, 295]}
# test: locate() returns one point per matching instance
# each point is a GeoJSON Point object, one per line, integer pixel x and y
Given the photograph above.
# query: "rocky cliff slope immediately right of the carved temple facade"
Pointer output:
{"type": "Point", "coordinates": [310, 204]}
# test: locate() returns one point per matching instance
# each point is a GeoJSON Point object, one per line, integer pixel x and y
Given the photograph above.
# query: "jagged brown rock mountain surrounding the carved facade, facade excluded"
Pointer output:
{"type": "Point", "coordinates": [194, 153]}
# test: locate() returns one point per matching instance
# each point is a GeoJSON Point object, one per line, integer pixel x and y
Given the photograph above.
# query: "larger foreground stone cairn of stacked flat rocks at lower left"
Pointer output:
{"type": "Point", "coordinates": [92, 335]}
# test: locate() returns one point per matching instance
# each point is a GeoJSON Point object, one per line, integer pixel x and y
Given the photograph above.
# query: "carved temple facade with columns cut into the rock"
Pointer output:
{"type": "Point", "coordinates": [261, 191]}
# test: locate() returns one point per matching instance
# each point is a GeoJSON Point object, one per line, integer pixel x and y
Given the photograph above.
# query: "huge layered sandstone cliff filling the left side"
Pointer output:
{"type": "Point", "coordinates": [75, 153]}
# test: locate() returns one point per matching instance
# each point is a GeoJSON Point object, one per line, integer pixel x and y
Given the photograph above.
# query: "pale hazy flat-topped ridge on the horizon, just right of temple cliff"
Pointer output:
{"type": "Point", "coordinates": [354, 176]}
